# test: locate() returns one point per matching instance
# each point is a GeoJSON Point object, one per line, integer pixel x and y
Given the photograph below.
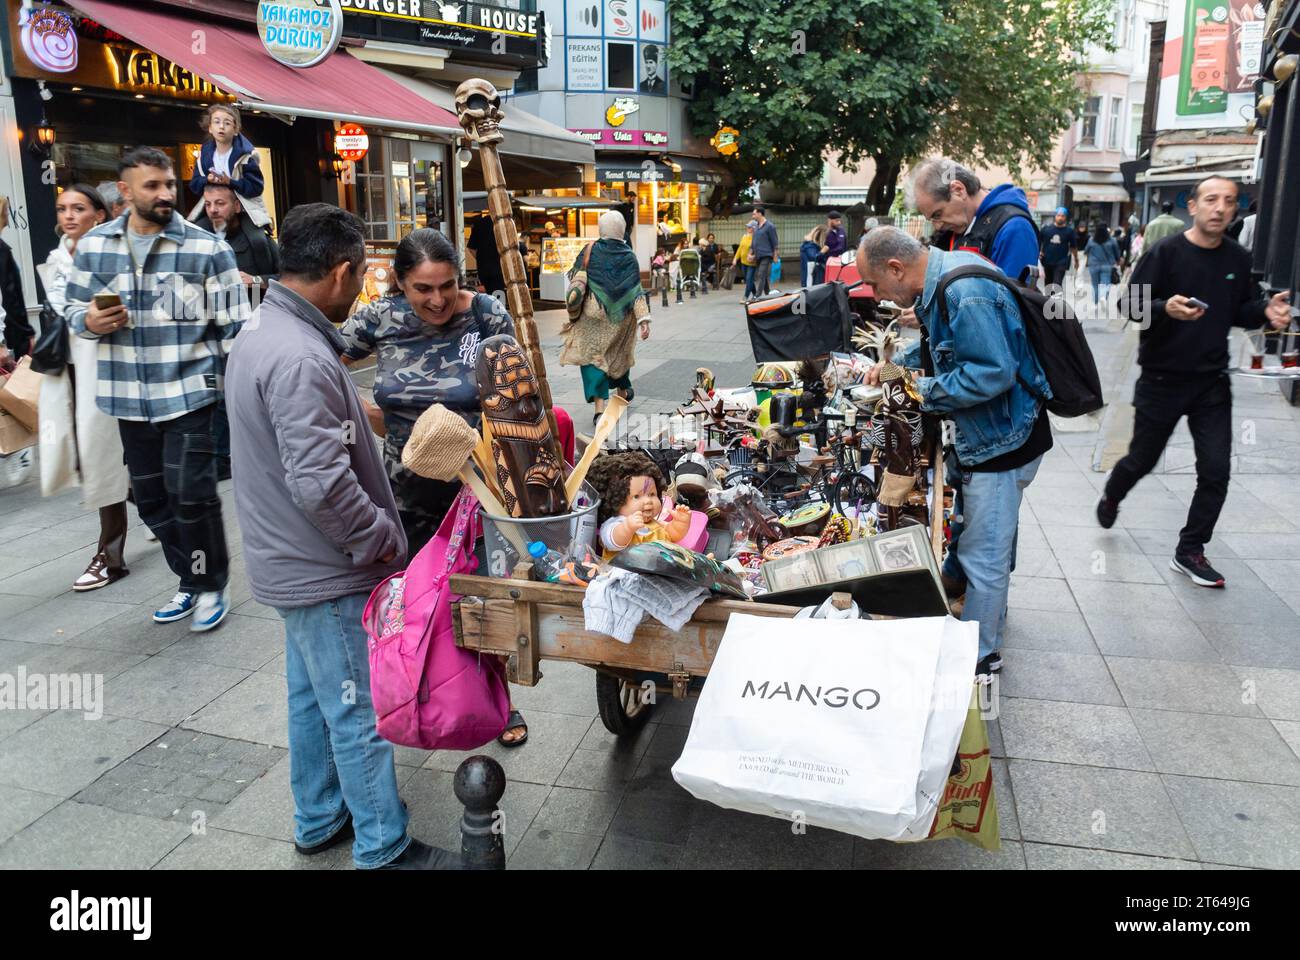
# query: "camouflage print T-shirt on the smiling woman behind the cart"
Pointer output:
{"type": "Point", "coordinates": [421, 365]}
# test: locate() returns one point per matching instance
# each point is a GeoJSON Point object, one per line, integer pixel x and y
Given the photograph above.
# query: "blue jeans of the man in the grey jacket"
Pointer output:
{"type": "Point", "coordinates": [337, 760]}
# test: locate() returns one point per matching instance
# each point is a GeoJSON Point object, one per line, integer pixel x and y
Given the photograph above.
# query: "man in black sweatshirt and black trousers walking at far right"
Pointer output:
{"type": "Point", "coordinates": [1199, 287]}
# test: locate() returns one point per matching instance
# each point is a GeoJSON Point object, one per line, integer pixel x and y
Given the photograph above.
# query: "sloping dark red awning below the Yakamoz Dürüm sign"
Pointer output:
{"type": "Point", "coordinates": [341, 88]}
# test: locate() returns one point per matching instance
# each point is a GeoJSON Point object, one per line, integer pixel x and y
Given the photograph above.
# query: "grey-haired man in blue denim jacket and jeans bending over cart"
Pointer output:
{"type": "Point", "coordinates": [990, 384]}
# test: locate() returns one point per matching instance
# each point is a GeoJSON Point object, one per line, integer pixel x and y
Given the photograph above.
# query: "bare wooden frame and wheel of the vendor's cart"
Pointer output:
{"type": "Point", "coordinates": [528, 622]}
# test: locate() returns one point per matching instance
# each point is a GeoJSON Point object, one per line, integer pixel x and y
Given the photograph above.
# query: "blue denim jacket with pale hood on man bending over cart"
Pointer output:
{"type": "Point", "coordinates": [983, 362]}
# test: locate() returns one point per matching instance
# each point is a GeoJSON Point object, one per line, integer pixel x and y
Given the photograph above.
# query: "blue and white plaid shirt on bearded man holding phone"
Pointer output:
{"type": "Point", "coordinates": [187, 304]}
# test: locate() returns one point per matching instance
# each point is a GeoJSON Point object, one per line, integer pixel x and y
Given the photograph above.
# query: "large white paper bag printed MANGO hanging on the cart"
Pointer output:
{"type": "Point", "coordinates": [834, 724]}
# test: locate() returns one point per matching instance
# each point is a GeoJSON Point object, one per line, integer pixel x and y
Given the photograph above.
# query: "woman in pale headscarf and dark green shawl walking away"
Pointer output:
{"type": "Point", "coordinates": [603, 340]}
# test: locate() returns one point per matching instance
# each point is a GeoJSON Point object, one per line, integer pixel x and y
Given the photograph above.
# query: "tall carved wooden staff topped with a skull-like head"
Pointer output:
{"type": "Point", "coordinates": [479, 111]}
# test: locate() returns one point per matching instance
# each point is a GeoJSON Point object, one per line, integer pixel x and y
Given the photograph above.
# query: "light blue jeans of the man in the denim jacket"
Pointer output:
{"type": "Point", "coordinates": [991, 517]}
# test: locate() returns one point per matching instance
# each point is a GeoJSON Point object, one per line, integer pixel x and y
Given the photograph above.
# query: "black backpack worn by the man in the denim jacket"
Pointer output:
{"type": "Point", "coordinates": [1056, 338]}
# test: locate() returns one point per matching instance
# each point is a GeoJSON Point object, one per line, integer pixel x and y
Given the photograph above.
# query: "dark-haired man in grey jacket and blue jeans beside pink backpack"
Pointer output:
{"type": "Point", "coordinates": [320, 531]}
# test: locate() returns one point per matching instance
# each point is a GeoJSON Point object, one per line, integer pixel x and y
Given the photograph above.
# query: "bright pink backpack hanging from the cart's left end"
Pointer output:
{"type": "Point", "coordinates": [427, 691]}
